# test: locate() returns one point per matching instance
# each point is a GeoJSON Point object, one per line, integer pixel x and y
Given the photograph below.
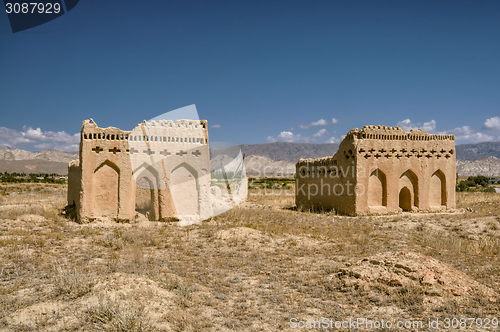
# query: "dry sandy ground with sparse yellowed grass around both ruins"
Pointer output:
{"type": "Point", "coordinates": [255, 268]}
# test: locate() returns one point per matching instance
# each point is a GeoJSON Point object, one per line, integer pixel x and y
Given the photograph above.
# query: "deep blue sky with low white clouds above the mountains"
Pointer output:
{"type": "Point", "coordinates": [258, 71]}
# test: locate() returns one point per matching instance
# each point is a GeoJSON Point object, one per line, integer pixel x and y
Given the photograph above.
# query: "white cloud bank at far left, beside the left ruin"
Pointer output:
{"type": "Point", "coordinates": [40, 139]}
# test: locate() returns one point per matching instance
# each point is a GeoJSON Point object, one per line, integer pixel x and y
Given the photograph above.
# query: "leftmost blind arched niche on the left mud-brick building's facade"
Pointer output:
{"type": "Point", "coordinates": [105, 186]}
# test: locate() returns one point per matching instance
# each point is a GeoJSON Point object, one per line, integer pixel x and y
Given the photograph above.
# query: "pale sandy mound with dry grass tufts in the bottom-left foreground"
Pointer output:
{"type": "Point", "coordinates": [117, 301]}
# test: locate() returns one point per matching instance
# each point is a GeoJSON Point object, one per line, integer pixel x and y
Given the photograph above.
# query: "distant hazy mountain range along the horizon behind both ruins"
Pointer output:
{"type": "Point", "coordinates": [471, 158]}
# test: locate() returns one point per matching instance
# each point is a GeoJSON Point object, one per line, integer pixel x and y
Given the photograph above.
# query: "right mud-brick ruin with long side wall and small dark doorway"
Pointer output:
{"type": "Point", "coordinates": [379, 170]}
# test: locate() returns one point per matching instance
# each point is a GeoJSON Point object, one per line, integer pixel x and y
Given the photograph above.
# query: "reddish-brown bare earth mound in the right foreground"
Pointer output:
{"type": "Point", "coordinates": [414, 269]}
